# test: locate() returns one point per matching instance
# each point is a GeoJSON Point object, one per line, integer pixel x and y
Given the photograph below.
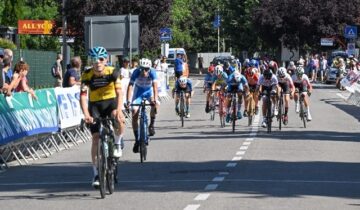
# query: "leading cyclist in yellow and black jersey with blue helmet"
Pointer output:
{"type": "Point", "coordinates": [103, 85]}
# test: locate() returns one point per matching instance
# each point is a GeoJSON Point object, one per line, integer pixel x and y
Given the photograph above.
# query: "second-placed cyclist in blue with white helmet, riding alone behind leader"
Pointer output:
{"type": "Point", "coordinates": [143, 84]}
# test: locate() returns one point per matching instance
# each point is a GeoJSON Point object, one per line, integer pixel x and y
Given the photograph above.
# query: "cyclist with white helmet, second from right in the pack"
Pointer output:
{"type": "Point", "coordinates": [287, 85]}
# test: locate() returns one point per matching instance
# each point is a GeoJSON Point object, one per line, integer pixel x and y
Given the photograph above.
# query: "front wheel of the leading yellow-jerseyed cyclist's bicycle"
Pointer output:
{"type": "Point", "coordinates": [101, 161]}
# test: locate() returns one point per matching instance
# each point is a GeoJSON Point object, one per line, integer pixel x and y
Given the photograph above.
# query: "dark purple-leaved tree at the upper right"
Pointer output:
{"type": "Point", "coordinates": [298, 23]}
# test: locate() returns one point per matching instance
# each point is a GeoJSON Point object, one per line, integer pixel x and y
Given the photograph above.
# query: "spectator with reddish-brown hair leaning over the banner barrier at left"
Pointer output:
{"type": "Point", "coordinates": [20, 72]}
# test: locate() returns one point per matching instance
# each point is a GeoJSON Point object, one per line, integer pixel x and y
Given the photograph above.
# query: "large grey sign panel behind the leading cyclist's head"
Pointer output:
{"type": "Point", "coordinates": [118, 34]}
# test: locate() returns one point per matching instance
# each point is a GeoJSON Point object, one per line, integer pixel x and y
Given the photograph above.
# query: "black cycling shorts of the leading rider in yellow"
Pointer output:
{"type": "Point", "coordinates": [101, 109]}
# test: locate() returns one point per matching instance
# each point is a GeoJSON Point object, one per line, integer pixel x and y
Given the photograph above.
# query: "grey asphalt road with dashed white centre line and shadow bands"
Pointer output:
{"type": "Point", "coordinates": [203, 166]}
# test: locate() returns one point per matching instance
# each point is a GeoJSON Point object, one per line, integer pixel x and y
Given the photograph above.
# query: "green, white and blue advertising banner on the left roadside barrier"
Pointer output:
{"type": "Point", "coordinates": [22, 116]}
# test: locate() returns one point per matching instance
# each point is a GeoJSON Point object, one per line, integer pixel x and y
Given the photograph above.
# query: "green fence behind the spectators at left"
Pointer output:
{"type": "Point", "coordinates": [40, 63]}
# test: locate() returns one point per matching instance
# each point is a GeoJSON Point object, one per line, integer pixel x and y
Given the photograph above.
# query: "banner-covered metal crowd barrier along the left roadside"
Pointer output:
{"type": "Point", "coordinates": [33, 129]}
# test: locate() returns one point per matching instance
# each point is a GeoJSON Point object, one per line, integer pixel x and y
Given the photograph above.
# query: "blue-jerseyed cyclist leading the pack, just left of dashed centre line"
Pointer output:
{"type": "Point", "coordinates": [236, 83]}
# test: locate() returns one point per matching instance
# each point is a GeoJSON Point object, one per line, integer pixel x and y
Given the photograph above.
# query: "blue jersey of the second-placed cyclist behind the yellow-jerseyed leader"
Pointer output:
{"type": "Point", "coordinates": [143, 86]}
